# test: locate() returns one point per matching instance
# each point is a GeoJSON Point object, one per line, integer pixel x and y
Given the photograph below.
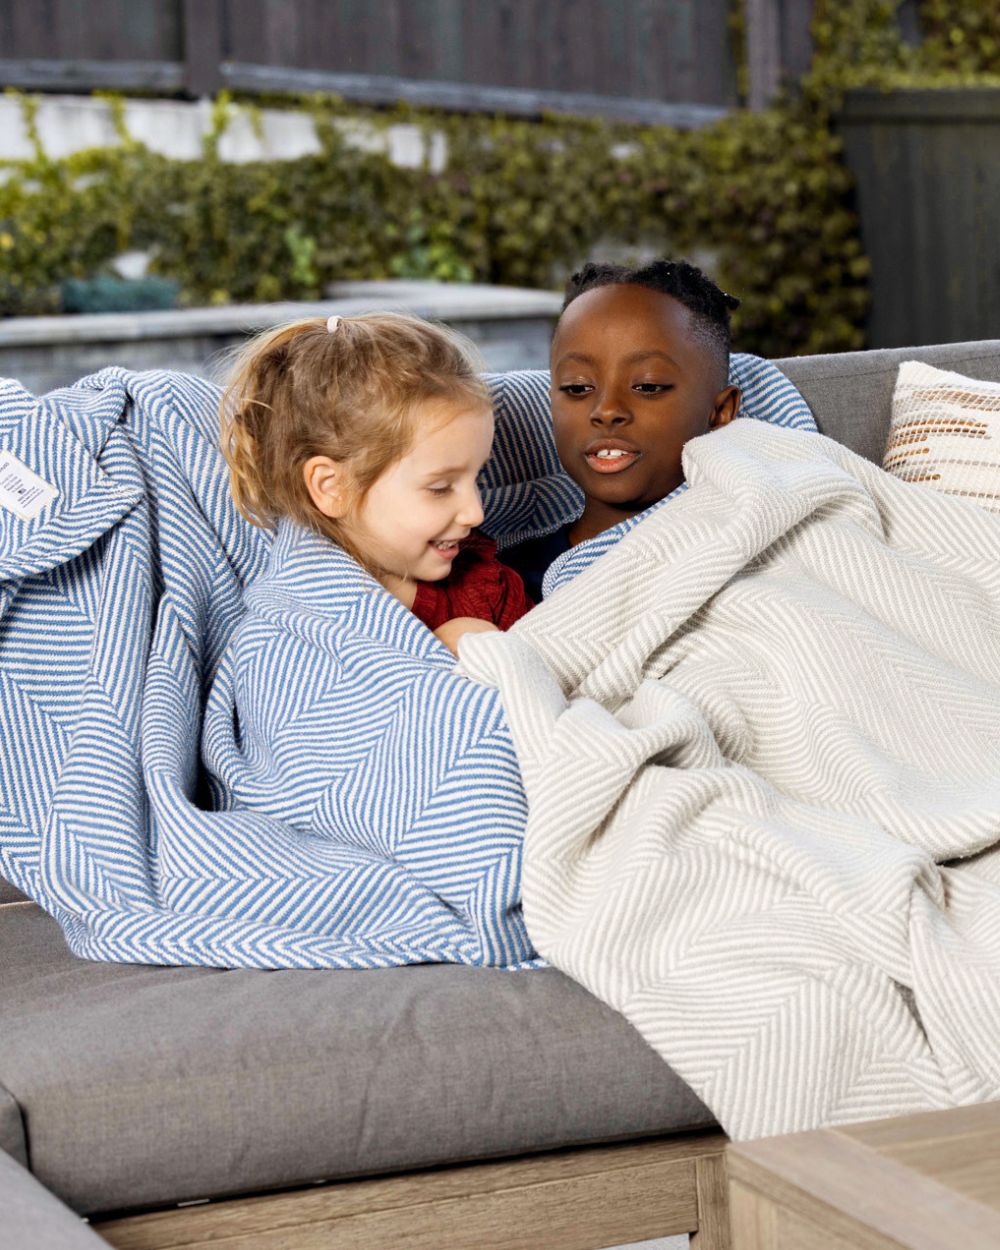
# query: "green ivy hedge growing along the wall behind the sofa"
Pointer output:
{"type": "Point", "coordinates": [762, 201]}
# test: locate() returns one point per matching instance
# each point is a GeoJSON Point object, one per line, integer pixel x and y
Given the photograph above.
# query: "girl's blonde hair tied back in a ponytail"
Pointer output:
{"type": "Point", "coordinates": [352, 394]}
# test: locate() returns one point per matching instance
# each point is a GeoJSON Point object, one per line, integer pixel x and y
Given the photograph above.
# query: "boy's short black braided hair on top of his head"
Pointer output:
{"type": "Point", "coordinates": [711, 306]}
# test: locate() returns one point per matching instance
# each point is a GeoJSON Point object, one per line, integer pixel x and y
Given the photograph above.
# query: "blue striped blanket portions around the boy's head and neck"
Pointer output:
{"type": "Point", "coordinates": [526, 491]}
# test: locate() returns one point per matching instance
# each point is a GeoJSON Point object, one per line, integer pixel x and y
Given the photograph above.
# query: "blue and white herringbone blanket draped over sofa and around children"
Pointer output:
{"type": "Point", "coordinates": [292, 777]}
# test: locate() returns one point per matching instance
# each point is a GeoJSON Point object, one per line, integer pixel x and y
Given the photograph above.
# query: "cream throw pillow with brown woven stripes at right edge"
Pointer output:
{"type": "Point", "coordinates": [946, 433]}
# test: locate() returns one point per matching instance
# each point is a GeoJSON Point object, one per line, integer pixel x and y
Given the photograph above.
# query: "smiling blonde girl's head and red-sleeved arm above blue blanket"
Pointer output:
{"type": "Point", "coordinates": [373, 431]}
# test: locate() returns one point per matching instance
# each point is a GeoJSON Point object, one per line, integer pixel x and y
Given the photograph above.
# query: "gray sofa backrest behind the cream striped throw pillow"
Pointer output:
{"type": "Point", "coordinates": [852, 393]}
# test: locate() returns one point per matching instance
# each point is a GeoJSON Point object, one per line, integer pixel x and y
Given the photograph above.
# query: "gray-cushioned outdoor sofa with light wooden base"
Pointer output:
{"type": "Point", "coordinates": [428, 1107]}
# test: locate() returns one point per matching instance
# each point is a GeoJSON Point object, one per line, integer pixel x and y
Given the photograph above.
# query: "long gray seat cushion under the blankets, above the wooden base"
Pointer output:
{"type": "Point", "coordinates": [153, 1086]}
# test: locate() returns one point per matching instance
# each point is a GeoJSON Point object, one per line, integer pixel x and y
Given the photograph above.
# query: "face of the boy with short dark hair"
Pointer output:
{"type": "Point", "coordinates": [632, 384]}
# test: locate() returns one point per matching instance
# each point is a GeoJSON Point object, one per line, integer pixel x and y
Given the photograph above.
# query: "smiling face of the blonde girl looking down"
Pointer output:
{"type": "Point", "coordinates": [411, 523]}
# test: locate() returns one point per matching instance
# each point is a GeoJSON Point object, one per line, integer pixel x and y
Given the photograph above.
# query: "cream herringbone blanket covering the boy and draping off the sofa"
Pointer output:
{"type": "Point", "coordinates": [762, 748]}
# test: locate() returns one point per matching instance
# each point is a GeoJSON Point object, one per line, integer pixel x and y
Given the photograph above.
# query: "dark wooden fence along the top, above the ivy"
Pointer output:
{"type": "Point", "coordinates": [647, 61]}
